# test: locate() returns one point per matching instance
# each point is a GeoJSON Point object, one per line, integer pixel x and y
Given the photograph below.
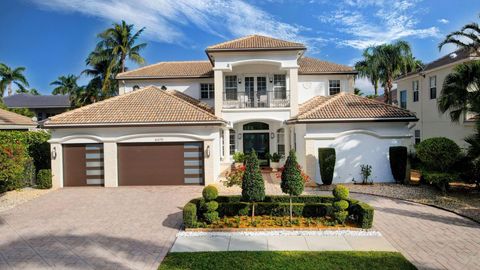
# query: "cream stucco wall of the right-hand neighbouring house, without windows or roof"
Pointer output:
{"type": "Point", "coordinates": [431, 122]}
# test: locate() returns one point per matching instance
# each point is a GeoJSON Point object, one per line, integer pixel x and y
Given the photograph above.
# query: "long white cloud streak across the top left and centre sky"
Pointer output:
{"type": "Point", "coordinates": [166, 20]}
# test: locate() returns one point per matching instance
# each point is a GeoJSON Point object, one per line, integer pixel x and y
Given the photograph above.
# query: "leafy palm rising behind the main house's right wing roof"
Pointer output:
{"type": "Point", "coordinates": [391, 61]}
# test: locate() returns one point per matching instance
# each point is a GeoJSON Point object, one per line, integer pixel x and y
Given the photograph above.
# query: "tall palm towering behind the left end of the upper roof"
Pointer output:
{"type": "Point", "coordinates": [120, 42]}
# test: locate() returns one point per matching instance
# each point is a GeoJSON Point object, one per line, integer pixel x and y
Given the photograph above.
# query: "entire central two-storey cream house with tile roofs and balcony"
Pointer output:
{"type": "Point", "coordinates": [254, 92]}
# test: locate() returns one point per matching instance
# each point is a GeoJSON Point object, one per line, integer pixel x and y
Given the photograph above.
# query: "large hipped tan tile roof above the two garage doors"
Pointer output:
{"type": "Point", "coordinates": [146, 106]}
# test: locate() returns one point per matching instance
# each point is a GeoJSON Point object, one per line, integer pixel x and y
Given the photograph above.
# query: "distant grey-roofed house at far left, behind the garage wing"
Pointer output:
{"type": "Point", "coordinates": [42, 106]}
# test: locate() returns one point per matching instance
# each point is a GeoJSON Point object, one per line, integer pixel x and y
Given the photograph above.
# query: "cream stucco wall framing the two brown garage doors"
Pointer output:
{"type": "Point", "coordinates": [111, 136]}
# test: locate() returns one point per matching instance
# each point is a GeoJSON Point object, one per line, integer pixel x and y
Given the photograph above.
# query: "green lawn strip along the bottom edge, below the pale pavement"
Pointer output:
{"type": "Point", "coordinates": [286, 260]}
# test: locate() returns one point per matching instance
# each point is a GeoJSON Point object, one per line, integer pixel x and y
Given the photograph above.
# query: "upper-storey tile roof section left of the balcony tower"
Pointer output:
{"type": "Point", "coordinates": [185, 69]}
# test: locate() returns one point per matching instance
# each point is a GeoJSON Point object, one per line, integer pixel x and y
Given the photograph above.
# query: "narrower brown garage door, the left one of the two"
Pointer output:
{"type": "Point", "coordinates": [83, 165]}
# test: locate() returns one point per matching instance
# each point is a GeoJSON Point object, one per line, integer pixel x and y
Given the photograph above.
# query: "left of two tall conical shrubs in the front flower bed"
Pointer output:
{"type": "Point", "coordinates": [253, 187]}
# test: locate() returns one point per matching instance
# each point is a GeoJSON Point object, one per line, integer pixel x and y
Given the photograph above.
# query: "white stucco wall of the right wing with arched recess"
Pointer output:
{"type": "Point", "coordinates": [355, 144]}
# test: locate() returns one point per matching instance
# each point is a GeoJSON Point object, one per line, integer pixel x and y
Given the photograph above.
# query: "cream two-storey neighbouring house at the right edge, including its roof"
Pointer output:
{"type": "Point", "coordinates": [419, 93]}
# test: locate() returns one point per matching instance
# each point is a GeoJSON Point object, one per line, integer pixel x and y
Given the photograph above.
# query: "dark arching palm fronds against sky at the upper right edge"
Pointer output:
{"type": "Point", "coordinates": [467, 38]}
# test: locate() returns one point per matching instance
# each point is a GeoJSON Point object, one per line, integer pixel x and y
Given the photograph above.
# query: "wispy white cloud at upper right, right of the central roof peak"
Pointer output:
{"type": "Point", "coordinates": [385, 22]}
